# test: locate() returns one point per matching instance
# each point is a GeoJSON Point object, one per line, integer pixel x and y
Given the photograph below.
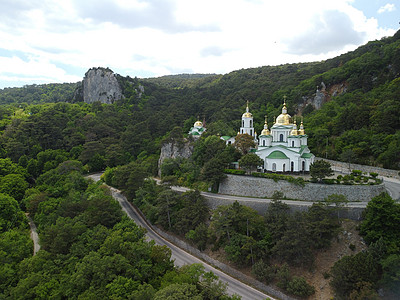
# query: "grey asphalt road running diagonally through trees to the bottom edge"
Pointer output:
{"type": "Point", "coordinates": [180, 256]}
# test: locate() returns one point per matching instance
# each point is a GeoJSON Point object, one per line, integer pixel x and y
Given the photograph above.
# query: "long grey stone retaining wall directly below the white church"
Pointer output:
{"type": "Point", "coordinates": [265, 188]}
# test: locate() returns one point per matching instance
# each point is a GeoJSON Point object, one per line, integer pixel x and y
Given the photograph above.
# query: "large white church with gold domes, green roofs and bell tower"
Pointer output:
{"type": "Point", "coordinates": [283, 148]}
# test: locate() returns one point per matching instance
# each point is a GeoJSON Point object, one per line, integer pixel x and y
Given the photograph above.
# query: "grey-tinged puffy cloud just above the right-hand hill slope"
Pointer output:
{"type": "Point", "coordinates": [330, 31]}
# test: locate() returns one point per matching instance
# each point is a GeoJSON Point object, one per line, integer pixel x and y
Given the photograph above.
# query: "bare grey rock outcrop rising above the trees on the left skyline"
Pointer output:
{"type": "Point", "coordinates": [100, 84]}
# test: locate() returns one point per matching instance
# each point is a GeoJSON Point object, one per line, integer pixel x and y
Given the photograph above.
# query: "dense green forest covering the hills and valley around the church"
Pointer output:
{"type": "Point", "coordinates": [49, 140]}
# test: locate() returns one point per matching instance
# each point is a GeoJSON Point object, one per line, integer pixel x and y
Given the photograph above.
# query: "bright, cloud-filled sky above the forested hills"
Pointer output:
{"type": "Point", "coordinates": [50, 41]}
